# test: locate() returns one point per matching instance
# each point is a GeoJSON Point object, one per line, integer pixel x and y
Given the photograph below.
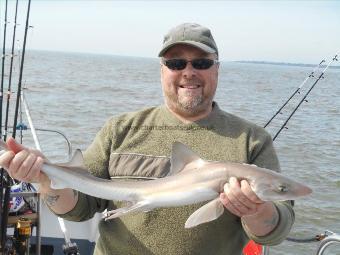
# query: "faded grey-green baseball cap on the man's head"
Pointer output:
{"type": "Point", "coordinates": [190, 34]}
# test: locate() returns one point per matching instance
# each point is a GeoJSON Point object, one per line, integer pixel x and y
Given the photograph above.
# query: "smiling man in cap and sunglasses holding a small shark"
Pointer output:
{"type": "Point", "coordinates": [139, 144]}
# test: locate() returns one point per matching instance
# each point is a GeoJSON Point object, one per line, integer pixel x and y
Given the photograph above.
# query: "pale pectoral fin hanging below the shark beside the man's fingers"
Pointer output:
{"type": "Point", "coordinates": [208, 212]}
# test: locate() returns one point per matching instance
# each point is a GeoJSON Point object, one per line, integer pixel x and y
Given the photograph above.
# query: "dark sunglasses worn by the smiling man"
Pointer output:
{"type": "Point", "coordinates": [180, 64]}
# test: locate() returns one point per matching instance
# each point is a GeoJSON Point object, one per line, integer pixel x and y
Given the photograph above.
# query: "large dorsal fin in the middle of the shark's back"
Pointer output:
{"type": "Point", "coordinates": [181, 155]}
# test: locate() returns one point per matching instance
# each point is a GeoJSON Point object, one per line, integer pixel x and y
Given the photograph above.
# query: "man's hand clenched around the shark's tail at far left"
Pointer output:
{"type": "Point", "coordinates": [22, 163]}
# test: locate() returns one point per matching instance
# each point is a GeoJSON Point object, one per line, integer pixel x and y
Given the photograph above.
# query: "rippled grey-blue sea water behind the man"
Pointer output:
{"type": "Point", "coordinates": [76, 93]}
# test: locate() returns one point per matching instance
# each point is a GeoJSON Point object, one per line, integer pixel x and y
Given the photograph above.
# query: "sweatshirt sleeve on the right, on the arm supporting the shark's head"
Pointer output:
{"type": "Point", "coordinates": [262, 153]}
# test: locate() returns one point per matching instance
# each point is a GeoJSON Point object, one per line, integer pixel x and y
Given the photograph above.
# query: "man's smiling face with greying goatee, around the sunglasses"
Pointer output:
{"type": "Point", "coordinates": [189, 92]}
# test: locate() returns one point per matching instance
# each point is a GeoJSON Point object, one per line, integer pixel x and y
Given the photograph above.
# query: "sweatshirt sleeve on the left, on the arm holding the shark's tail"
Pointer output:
{"type": "Point", "coordinates": [96, 160]}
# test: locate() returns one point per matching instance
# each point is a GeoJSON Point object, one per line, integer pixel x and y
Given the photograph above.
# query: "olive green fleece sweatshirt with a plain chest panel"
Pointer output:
{"type": "Point", "coordinates": [139, 144]}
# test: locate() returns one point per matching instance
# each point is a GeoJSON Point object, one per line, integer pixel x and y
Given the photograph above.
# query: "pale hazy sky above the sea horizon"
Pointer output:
{"type": "Point", "coordinates": [280, 31]}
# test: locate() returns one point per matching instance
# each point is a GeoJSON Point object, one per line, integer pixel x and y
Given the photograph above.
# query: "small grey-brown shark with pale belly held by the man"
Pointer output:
{"type": "Point", "coordinates": [190, 180]}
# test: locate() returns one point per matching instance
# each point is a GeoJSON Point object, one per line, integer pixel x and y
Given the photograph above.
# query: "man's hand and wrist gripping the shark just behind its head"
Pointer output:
{"type": "Point", "coordinates": [259, 216]}
